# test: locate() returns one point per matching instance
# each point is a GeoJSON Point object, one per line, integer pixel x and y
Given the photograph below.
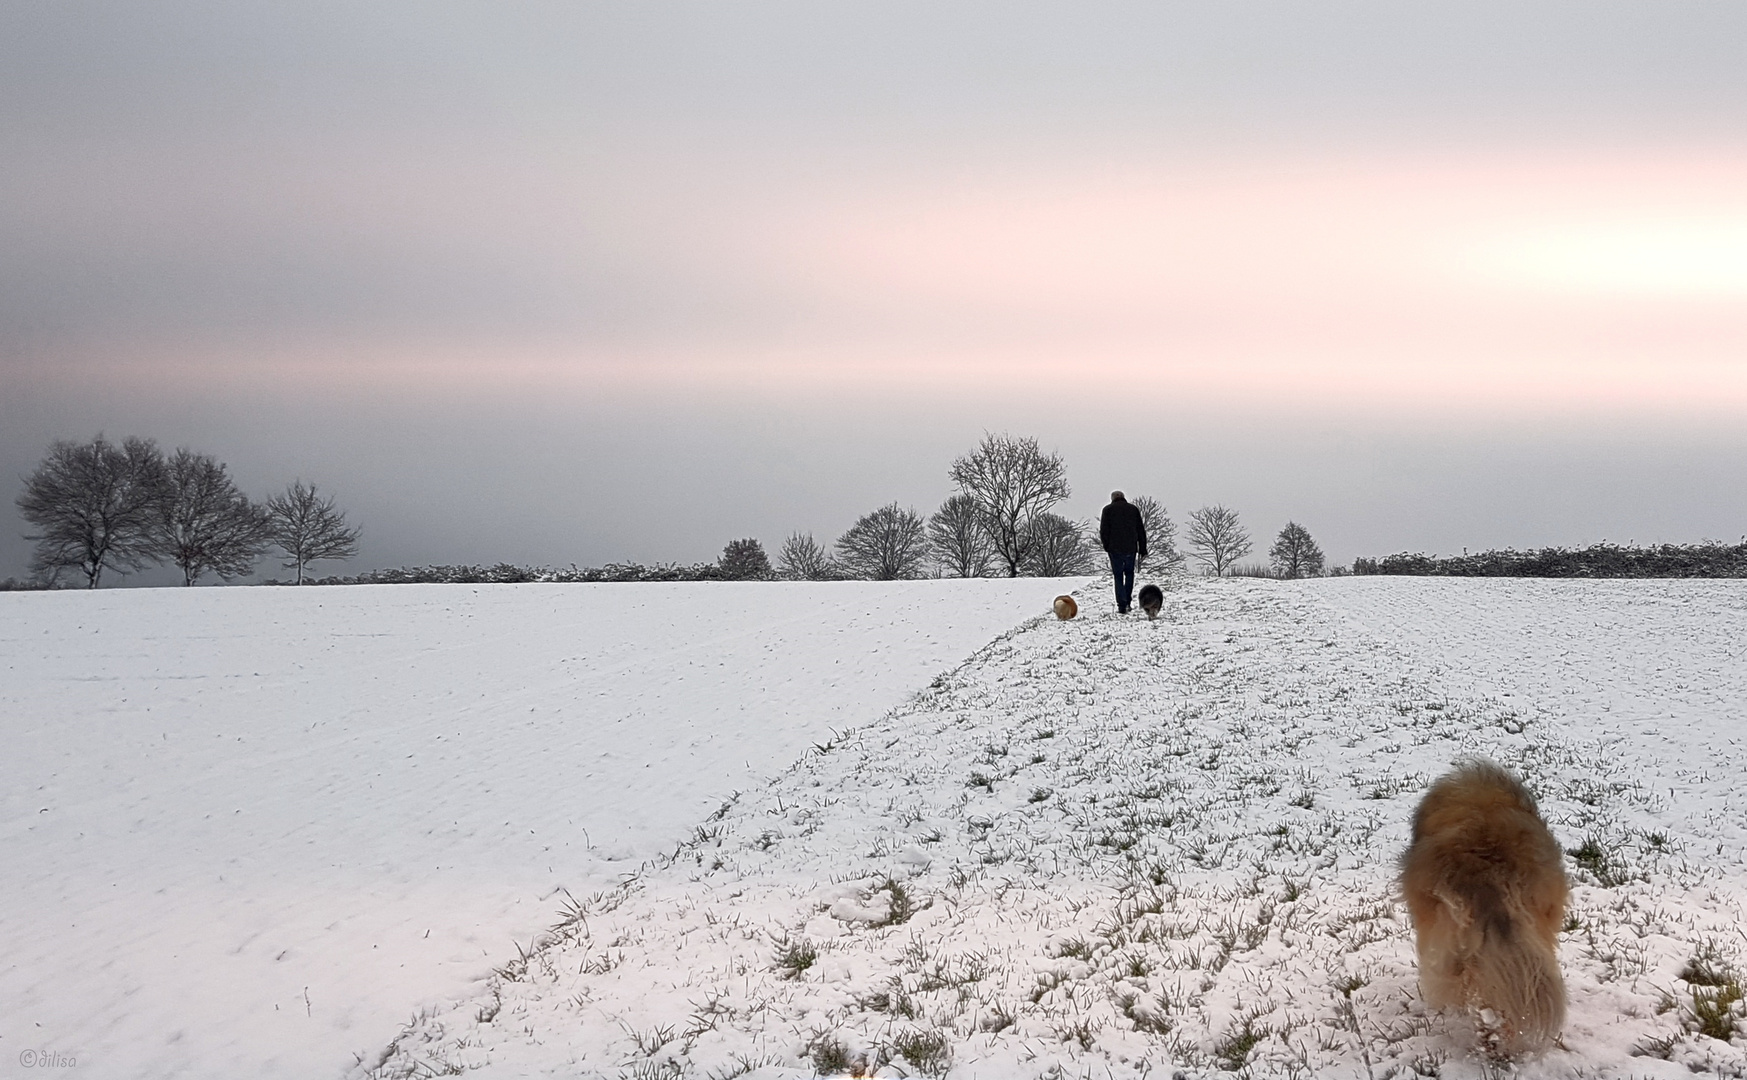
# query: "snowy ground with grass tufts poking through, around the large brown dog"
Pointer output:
{"type": "Point", "coordinates": [1114, 848]}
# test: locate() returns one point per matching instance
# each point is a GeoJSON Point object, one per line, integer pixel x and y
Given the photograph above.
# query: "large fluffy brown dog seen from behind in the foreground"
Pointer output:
{"type": "Point", "coordinates": [1486, 885]}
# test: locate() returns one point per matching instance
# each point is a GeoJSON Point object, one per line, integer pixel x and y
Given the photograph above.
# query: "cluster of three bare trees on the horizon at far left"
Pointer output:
{"type": "Point", "coordinates": [104, 508]}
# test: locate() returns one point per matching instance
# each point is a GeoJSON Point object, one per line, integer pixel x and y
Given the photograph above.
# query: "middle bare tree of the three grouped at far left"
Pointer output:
{"type": "Point", "coordinates": [205, 523]}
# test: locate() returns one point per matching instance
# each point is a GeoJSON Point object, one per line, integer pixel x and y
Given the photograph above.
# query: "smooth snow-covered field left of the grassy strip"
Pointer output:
{"type": "Point", "coordinates": [249, 833]}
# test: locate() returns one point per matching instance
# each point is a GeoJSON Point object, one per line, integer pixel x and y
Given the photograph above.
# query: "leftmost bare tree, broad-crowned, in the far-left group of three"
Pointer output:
{"type": "Point", "coordinates": [95, 508]}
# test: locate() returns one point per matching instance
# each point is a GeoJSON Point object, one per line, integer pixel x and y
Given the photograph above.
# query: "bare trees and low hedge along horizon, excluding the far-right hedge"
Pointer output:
{"type": "Point", "coordinates": [104, 508]}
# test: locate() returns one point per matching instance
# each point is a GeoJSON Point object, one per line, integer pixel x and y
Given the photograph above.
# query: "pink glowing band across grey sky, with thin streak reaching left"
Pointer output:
{"type": "Point", "coordinates": [1493, 282]}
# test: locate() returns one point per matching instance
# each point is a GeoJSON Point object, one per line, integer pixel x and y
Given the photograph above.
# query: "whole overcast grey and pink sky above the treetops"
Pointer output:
{"type": "Point", "coordinates": [574, 282]}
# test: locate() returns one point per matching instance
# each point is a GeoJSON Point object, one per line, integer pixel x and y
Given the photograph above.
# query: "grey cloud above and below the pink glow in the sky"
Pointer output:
{"type": "Point", "coordinates": [340, 172]}
